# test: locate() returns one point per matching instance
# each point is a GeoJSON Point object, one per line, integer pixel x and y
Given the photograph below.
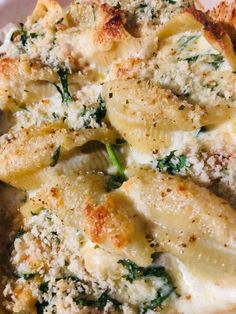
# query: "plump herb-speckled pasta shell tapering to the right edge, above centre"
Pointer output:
{"type": "Point", "coordinates": [144, 110]}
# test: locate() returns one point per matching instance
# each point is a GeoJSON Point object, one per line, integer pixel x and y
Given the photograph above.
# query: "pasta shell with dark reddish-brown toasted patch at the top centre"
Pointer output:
{"type": "Point", "coordinates": [103, 30]}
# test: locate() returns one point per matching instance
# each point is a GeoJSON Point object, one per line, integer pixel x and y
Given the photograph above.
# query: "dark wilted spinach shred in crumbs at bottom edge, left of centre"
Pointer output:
{"type": "Point", "coordinates": [100, 303]}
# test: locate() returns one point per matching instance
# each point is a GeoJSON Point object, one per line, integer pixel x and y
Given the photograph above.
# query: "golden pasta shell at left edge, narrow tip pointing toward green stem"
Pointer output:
{"type": "Point", "coordinates": [26, 152]}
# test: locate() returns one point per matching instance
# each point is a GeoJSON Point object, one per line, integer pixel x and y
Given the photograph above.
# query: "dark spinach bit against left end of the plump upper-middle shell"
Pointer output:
{"type": "Point", "coordinates": [97, 114]}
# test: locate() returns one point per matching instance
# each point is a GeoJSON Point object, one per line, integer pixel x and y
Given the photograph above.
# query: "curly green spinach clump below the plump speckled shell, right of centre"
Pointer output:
{"type": "Point", "coordinates": [172, 163]}
